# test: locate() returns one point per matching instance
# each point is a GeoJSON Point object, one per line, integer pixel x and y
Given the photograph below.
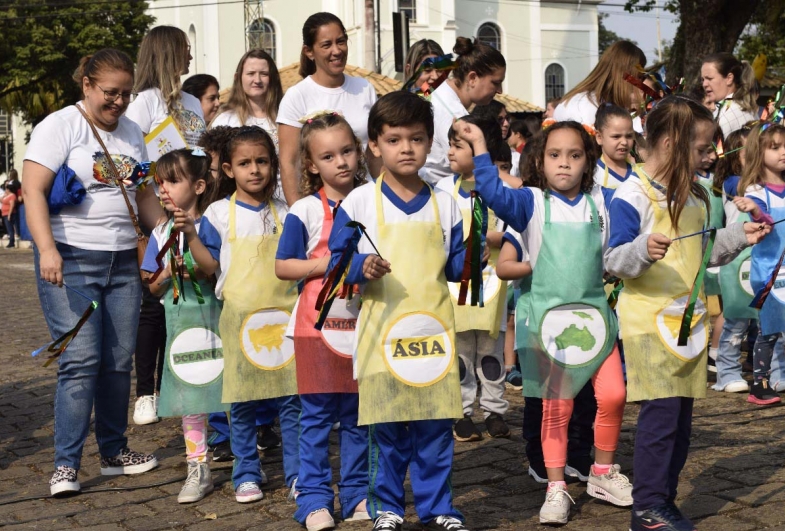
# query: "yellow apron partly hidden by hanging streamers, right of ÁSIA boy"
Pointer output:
{"type": "Point", "coordinates": [468, 317]}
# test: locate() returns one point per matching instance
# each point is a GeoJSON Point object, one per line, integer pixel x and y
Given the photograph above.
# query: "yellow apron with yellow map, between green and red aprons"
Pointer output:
{"type": "Point", "coordinates": [258, 357]}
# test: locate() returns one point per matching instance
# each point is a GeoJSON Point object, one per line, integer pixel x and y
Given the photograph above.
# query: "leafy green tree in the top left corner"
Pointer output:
{"type": "Point", "coordinates": [43, 41]}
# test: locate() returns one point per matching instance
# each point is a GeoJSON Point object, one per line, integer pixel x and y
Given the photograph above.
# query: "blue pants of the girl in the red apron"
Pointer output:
{"type": "Point", "coordinates": [319, 412]}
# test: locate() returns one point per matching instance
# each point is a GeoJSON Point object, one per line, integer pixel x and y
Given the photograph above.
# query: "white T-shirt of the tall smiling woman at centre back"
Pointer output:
{"type": "Point", "coordinates": [353, 100]}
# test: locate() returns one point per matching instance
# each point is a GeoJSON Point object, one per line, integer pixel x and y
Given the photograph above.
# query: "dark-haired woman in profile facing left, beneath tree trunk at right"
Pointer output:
{"type": "Point", "coordinates": [727, 83]}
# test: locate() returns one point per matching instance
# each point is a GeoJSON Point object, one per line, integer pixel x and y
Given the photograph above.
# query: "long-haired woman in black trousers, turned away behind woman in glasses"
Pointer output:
{"type": "Point", "coordinates": [164, 56]}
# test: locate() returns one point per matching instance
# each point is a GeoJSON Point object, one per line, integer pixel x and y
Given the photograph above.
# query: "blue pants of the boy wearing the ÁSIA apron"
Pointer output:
{"type": "Point", "coordinates": [424, 447]}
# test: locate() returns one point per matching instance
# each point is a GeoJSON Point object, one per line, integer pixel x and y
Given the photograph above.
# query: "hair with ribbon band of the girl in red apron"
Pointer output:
{"type": "Point", "coordinates": [311, 182]}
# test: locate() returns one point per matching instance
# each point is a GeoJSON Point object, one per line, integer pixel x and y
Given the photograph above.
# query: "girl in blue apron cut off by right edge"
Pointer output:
{"type": "Point", "coordinates": [764, 199]}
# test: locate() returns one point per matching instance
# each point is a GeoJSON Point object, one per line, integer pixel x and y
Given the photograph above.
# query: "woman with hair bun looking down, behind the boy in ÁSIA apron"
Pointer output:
{"type": "Point", "coordinates": [477, 78]}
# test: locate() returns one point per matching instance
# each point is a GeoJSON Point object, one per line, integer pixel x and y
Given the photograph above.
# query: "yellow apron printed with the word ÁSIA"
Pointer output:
{"type": "Point", "coordinates": [405, 358]}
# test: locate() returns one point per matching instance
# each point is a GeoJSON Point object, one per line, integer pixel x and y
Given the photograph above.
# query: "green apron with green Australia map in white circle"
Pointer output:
{"type": "Point", "coordinates": [570, 329]}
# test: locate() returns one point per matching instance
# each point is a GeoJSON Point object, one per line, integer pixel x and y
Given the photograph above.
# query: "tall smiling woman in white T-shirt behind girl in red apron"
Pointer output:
{"type": "Point", "coordinates": [324, 87]}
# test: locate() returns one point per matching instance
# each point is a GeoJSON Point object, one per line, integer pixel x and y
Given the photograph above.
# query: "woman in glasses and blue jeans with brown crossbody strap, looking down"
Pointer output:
{"type": "Point", "coordinates": [91, 248]}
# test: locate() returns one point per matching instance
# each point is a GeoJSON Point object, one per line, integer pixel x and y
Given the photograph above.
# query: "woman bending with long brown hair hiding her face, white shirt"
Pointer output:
{"type": "Point", "coordinates": [605, 84]}
